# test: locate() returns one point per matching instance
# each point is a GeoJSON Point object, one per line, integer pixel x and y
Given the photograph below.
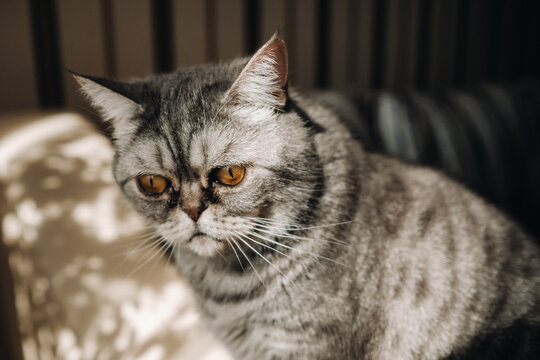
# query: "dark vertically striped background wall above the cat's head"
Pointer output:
{"type": "Point", "coordinates": [369, 44]}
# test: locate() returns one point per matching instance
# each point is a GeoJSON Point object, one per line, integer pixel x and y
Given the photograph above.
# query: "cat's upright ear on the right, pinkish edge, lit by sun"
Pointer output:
{"type": "Point", "coordinates": [263, 81]}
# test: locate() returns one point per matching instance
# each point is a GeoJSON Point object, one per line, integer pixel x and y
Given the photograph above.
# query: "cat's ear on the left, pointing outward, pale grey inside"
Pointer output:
{"type": "Point", "coordinates": [117, 102]}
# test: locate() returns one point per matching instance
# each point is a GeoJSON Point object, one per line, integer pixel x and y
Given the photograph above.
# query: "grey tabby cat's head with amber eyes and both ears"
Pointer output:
{"type": "Point", "coordinates": [206, 153]}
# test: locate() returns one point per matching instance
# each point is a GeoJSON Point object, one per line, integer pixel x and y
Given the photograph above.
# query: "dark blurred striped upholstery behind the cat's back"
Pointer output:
{"type": "Point", "coordinates": [487, 137]}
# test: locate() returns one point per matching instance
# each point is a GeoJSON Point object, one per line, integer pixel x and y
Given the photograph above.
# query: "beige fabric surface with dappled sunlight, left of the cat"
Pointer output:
{"type": "Point", "coordinates": [88, 282]}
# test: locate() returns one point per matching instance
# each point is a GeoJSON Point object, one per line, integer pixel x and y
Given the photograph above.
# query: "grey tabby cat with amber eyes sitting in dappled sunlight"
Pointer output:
{"type": "Point", "coordinates": [300, 245]}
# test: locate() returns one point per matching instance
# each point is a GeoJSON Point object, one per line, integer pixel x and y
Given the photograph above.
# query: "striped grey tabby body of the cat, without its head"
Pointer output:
{"type": "Point", "coordinates": [427, 266]}
